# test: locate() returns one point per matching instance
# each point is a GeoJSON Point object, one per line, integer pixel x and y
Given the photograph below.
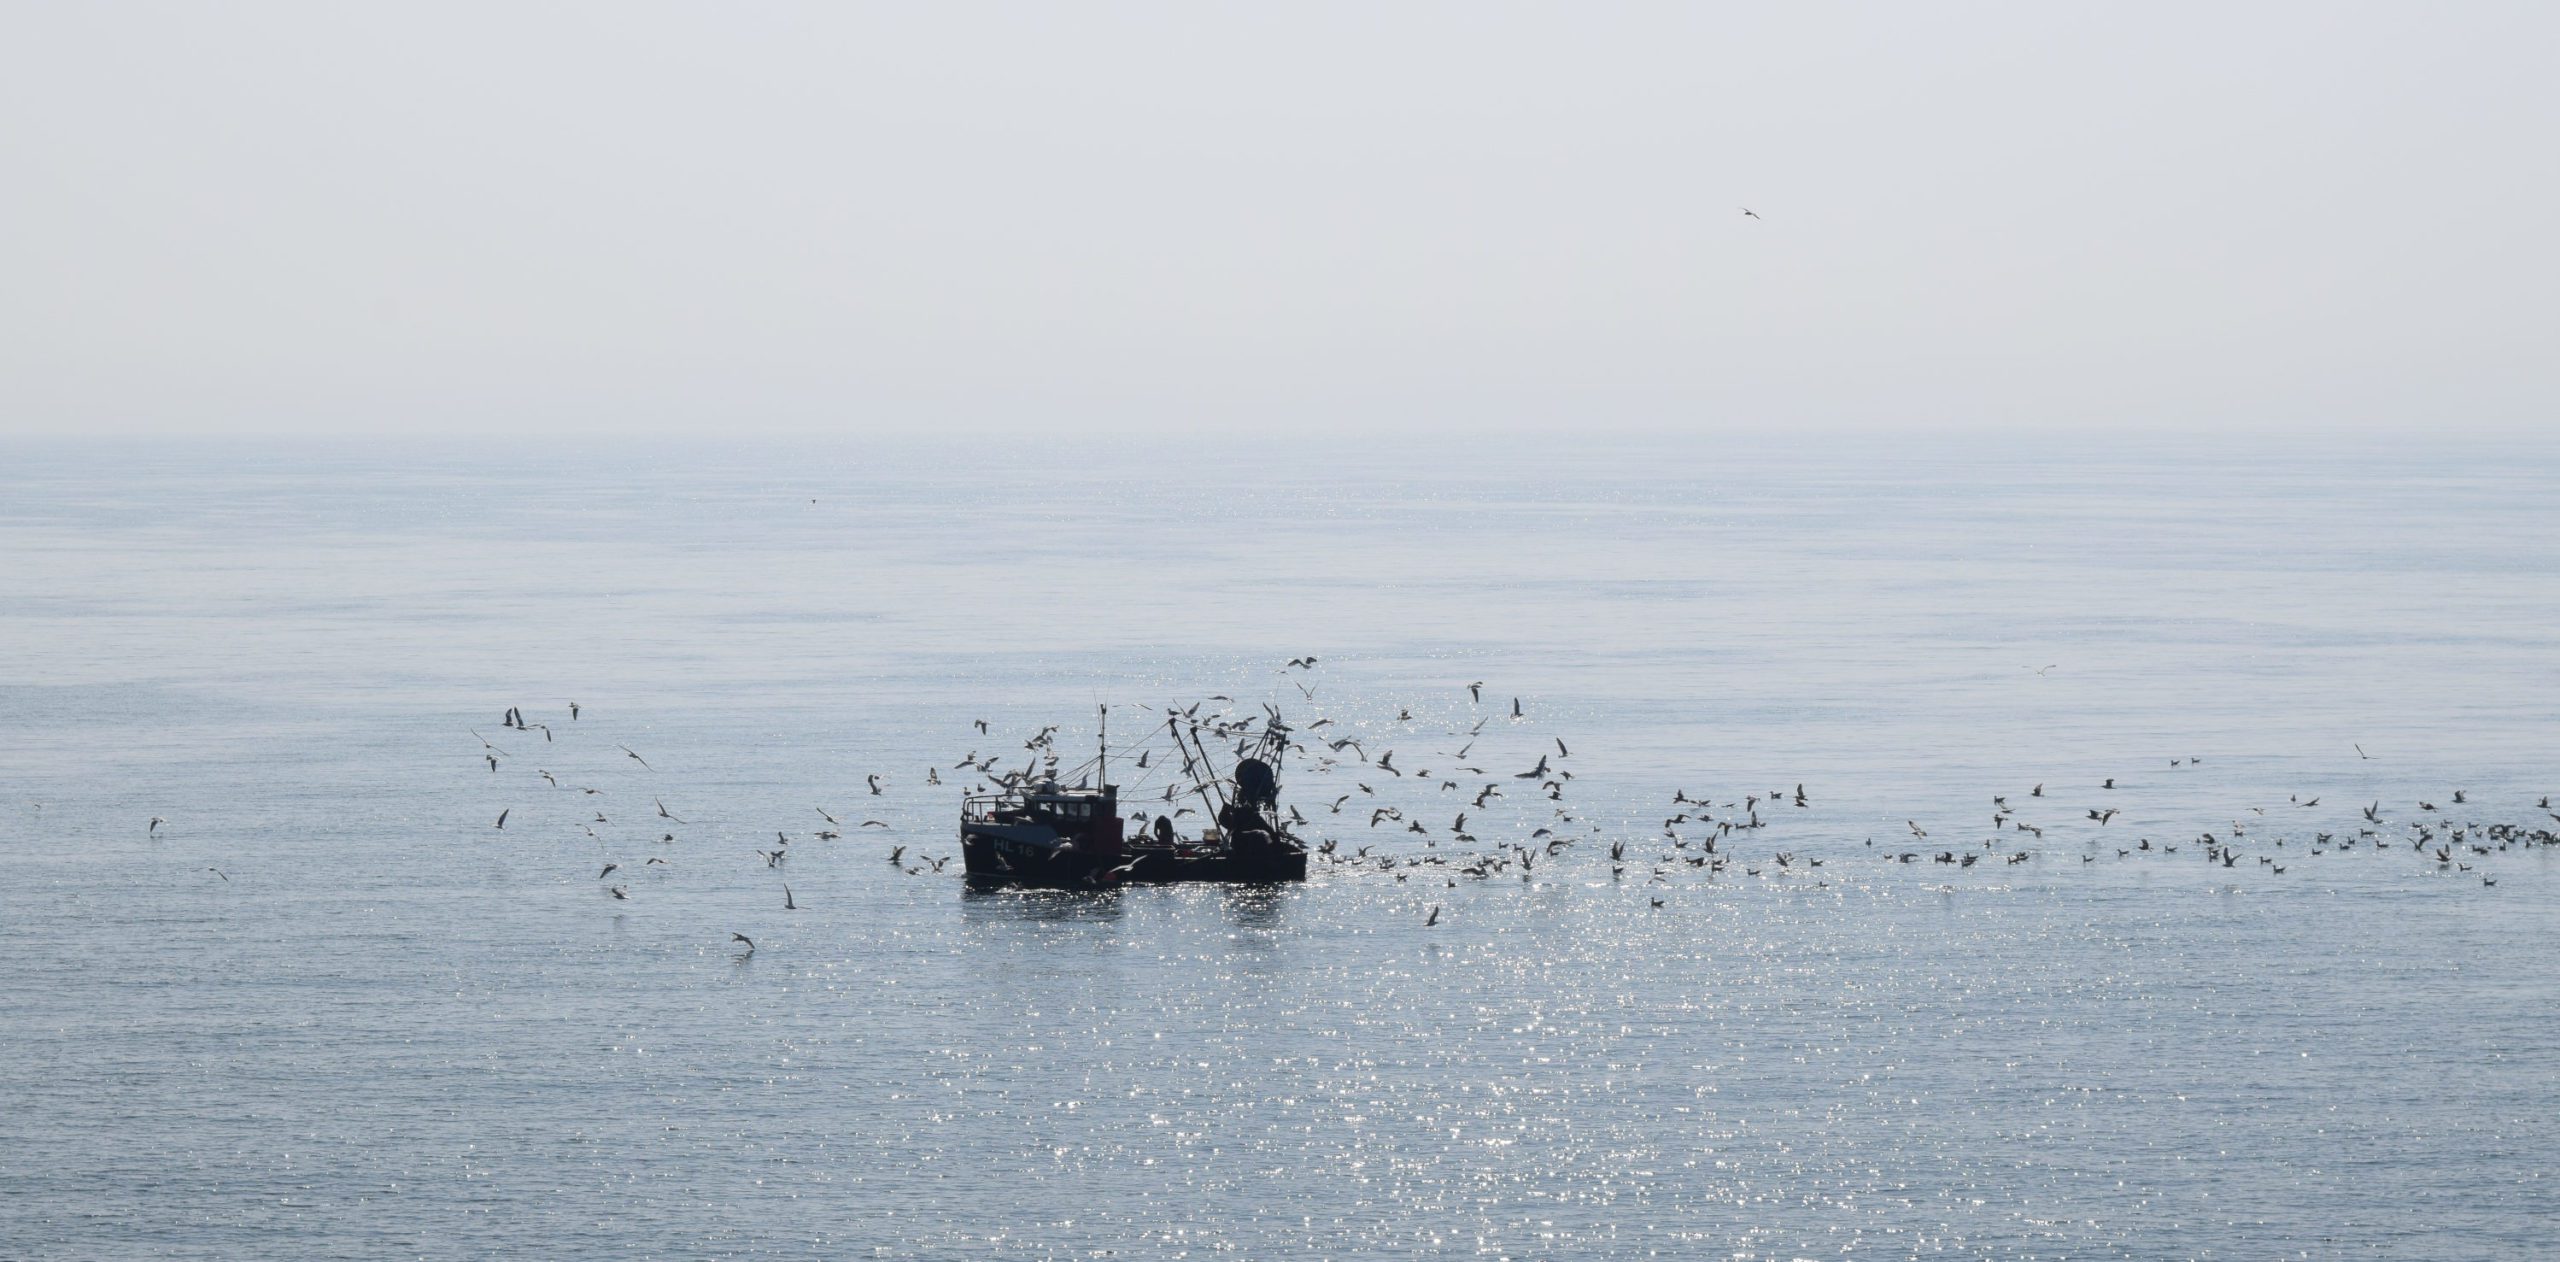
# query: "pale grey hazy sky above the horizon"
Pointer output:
{"type": "Point", "coordinates": [728, 219]}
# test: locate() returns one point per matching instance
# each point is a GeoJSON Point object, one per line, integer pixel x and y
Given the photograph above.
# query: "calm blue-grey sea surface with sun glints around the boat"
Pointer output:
{"type": "Point", "coordinates": [329, 1010]}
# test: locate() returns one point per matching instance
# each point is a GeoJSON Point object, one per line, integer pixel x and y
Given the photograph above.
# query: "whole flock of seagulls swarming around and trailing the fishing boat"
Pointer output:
{"type": "Point", "coordinates": [1517, 820]}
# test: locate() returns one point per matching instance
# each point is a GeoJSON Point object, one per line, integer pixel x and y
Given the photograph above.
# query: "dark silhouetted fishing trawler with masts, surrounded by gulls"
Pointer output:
{"type": "Point", "coordinates": [1041, 833]}
